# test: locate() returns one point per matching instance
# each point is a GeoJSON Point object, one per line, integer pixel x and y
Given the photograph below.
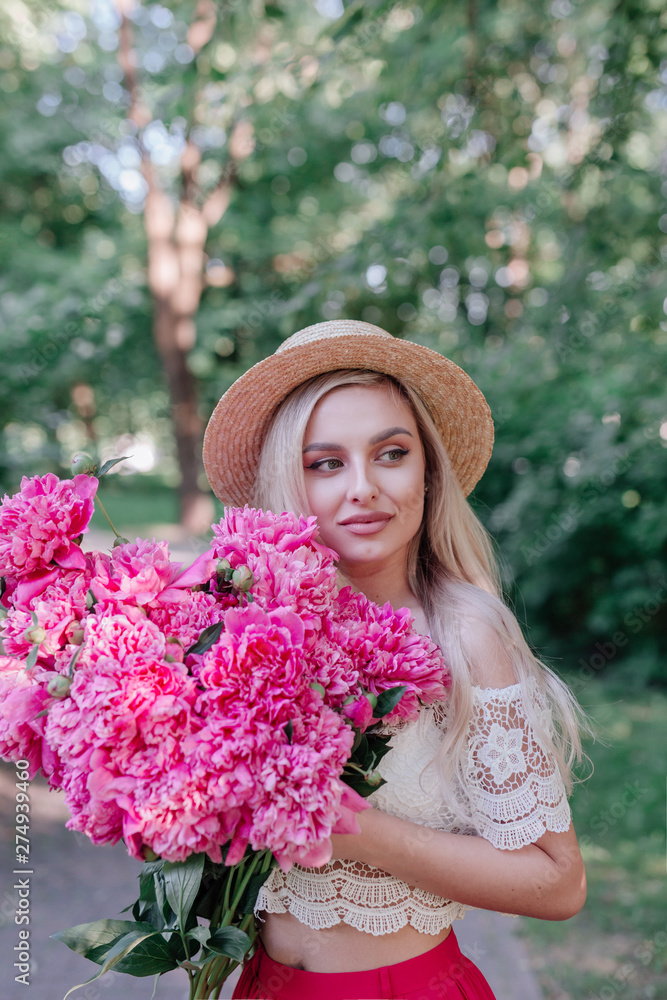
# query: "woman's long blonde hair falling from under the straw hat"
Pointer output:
{"type": "Point", "coordinates": [451, 570]}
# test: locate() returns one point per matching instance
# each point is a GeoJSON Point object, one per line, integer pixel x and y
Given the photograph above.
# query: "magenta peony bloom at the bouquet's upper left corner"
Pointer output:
{"type": "Point", "coordinates": [39, 525]}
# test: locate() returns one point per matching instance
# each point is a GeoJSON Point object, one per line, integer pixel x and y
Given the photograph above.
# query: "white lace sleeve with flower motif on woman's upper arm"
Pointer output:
{"type": "Point", "coordinates": [515, 789]}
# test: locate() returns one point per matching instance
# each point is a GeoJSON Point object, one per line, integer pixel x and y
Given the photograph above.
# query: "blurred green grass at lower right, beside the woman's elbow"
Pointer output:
{"type": "Point", "coordinates": [619, 818]}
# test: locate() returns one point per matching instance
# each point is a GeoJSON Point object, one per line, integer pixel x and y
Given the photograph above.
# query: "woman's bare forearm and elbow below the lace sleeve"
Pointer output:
{"type": "Point", "coordinates": [545, 879]}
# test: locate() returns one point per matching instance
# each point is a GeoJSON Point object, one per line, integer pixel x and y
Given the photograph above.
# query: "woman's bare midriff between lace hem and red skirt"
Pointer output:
{"type": "Point", "coordinates": [340, 948]}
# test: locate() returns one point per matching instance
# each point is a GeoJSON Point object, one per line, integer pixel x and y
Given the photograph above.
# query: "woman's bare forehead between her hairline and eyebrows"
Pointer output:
{"type": "Point", "coordinates": [351, 406]}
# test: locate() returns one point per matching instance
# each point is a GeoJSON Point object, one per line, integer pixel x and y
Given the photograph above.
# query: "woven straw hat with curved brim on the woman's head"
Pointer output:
{"type": "Point", "coordinates": [236, 430]}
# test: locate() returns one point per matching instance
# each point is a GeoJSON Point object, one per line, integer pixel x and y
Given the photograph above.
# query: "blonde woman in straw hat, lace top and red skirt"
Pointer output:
{"type": "Point", "coordinates": [382, 439]}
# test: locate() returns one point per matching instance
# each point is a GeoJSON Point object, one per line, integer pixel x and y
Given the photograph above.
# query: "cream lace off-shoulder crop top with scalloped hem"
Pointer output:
{"type": "Point", "coordinates": [514, 791]}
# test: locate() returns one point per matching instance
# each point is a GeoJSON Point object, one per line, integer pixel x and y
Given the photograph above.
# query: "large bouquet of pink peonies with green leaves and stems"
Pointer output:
{"type": "Point", "coordinates": [215, 718]}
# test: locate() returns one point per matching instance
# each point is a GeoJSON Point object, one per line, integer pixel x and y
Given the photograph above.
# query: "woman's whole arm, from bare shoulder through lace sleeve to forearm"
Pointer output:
{"type": "Point", "coordinates": [544, 879]}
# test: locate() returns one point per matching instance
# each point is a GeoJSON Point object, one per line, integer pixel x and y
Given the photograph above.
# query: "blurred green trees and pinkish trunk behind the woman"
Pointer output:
{"type": "Point", "coordinates": [184, 185]}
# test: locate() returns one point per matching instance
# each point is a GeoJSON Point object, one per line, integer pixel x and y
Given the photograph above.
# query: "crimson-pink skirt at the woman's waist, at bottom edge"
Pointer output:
{"type": "Point", "coordinates": [443, 973]}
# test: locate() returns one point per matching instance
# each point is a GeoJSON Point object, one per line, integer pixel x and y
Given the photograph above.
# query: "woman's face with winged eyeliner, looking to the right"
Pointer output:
{"type": "Point", "coordinates": [364, 470]}
